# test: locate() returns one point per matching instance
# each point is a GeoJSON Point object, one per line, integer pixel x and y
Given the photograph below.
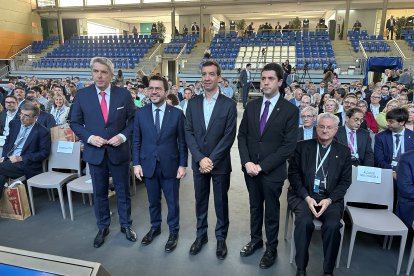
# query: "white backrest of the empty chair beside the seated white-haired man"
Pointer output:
{"type": "Point", "coordinates": [373, 193]}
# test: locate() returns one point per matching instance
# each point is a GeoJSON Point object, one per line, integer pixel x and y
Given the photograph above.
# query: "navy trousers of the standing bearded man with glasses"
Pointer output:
{"type": "Point", "coordinates": [170, 188]}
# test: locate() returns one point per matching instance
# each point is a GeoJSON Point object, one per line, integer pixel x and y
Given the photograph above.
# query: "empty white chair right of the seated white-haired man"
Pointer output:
{"type": "Point", "coordinates": [374, 221]}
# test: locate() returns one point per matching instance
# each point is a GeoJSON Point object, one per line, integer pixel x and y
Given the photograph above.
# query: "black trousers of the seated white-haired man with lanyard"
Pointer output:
{"type": "Point", "coordinates": [331, 236]}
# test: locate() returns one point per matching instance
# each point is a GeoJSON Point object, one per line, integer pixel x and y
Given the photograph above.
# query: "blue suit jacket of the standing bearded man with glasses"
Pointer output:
{"type": "Point", "coordinates": [168, 148]}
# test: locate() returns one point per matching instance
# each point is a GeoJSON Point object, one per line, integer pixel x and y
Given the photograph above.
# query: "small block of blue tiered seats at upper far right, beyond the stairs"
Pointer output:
{"type": "Point", "coordinates": [375, 43]}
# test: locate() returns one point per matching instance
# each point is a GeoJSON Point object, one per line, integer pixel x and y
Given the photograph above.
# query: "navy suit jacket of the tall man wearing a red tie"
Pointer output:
{"type": "Point", "coordinates": [87, 120]}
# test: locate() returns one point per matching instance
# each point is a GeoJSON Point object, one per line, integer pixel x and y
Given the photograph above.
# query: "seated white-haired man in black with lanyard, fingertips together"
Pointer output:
{"type": "Point", "coordinates": [320, 172]}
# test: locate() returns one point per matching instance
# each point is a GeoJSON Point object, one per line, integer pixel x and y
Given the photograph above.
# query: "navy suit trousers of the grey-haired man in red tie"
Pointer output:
{"type": "Point", "coordinates": [100, 182]}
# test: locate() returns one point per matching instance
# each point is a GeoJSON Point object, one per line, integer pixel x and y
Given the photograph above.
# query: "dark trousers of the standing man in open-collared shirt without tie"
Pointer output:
{"type": "Point", "coordinates": [221, 185]}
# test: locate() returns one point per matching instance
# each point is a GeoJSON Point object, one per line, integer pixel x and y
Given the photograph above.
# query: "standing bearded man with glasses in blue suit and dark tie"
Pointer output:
{"type": "Point", "coordinates": [159, 154]}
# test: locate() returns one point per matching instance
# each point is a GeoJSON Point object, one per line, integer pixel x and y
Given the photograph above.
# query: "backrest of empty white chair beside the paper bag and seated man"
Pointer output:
{"type": "Point", "coordinates": [71, 161]}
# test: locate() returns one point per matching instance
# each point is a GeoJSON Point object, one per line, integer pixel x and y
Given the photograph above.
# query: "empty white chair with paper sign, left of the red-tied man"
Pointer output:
{"type": "Point", "coordinates": [55, 180]}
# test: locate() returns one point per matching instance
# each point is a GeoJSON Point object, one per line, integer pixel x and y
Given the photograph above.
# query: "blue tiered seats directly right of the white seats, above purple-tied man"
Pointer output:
{"type": "Point", "coordinates": [314, 51]}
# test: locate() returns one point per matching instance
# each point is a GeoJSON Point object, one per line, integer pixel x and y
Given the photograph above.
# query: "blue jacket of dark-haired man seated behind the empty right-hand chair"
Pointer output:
{"type": "Point", "coordinates": [383, 147]}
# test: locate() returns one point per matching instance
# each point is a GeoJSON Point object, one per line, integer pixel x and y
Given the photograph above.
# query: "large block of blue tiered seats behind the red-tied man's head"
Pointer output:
{"type": "Point", "coordinates": [125, 51]}
